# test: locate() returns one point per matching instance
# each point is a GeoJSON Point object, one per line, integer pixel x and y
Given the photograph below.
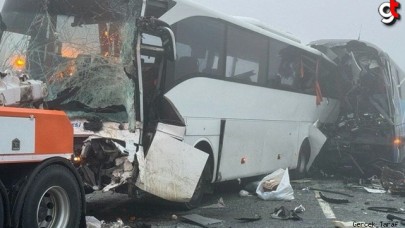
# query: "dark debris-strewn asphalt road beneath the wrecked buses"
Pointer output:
{"type": "Point", "coordinates": [110, 206]}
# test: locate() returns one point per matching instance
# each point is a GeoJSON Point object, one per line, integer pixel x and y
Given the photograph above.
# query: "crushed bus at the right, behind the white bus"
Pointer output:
{"type": "Point", "coordinates": [370, 127]}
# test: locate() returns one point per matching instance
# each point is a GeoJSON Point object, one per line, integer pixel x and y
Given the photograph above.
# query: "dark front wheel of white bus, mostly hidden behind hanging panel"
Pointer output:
{"type": "Point", "coordinates": [200, 189]}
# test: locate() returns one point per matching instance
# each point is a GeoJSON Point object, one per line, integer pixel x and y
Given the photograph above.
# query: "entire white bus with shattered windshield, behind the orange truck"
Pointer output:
{"type": "Point", "coordinates": [245, 95]}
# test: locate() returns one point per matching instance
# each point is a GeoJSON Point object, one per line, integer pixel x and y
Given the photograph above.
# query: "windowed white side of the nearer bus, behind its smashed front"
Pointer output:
{"type": "Point", "coordinates": [247, 93]}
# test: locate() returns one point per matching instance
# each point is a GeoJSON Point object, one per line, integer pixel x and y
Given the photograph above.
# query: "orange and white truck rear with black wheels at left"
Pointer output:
{"type": "Point", "coordinates": [39, 186]}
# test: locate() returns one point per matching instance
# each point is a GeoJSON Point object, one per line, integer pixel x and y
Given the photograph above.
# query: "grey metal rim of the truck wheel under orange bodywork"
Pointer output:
{"type": "Point", "coordinates": [53, 208]}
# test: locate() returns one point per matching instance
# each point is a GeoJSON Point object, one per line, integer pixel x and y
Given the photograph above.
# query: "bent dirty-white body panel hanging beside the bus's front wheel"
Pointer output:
{"type": "Point", "coordinates": [171, 169]}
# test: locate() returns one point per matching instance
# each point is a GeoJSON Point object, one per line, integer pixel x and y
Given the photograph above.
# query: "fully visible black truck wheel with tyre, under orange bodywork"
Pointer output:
{"type": "Point", "coordinates": [54, 199]}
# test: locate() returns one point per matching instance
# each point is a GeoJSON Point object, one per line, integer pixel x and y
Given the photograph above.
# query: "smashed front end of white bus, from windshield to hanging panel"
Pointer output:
{"type": "Point", "coordinates": [99, 71]}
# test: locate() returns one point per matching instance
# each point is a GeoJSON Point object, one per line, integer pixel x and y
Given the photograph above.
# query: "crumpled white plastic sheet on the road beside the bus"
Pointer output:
{"type": "Point", "coordinates": [283, 191]}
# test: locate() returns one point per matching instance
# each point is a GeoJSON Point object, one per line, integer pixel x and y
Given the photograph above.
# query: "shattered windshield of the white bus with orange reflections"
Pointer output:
{"type": "Point", "coordinates": [80, 55]}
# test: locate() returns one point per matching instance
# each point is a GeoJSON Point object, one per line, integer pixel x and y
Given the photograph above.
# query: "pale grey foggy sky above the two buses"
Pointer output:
{"type": "Point", "coordinates": [311, 20]}
